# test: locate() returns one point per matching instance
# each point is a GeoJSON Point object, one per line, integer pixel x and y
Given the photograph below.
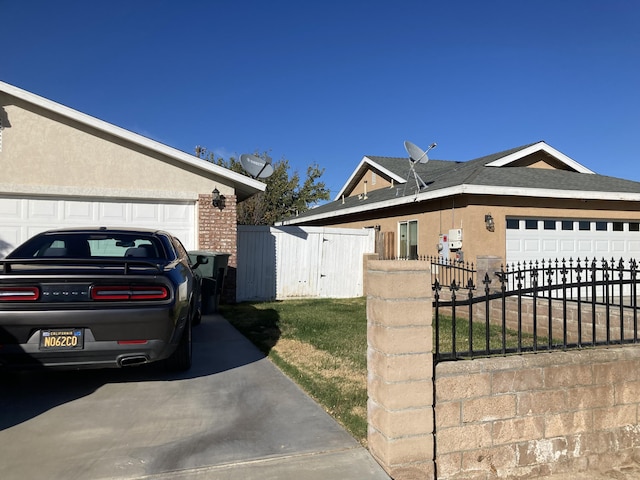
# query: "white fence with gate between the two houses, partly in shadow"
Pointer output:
{"type": "Point", "coordinates": [294, 262]}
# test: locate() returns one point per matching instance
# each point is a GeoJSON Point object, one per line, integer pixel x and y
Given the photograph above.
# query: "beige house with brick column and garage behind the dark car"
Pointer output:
{"type": "Point", "coordinates": [61, 167]}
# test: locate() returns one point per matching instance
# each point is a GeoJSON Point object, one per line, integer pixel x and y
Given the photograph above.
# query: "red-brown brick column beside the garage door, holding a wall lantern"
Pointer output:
{"type": "Point", "coordinates": [217, 231]}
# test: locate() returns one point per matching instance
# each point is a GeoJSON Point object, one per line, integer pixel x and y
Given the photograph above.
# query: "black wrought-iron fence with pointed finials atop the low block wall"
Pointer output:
{"type": "Point", "coordinates": [534, 306]}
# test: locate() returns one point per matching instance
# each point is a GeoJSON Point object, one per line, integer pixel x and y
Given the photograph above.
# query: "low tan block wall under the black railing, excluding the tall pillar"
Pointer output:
{"type": "Point", "coordinates": [534, 415]}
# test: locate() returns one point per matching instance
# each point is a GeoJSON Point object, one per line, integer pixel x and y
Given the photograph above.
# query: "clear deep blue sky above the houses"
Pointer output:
{"type": "Point", "coordinates": [328, 82]}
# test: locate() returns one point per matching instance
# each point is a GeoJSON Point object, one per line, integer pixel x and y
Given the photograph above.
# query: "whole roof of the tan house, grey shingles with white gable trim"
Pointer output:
{"type": "Point", "coordinates": [500, 173]}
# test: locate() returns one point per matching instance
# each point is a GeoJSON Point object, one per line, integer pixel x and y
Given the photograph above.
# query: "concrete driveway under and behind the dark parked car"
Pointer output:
{"type": "Point", "coordinates": [232, 416]}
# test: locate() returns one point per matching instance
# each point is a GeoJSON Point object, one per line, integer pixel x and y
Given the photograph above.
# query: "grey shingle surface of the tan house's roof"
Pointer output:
{"type": "Point", "coordinates": [444, 174]}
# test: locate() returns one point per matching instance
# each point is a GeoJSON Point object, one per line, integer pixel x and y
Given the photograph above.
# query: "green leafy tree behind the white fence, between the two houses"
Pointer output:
{"type": "Point", "coordinates": [284, 196]}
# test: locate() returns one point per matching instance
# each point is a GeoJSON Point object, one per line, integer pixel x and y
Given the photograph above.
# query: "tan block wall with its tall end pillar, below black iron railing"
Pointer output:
{"type": "Point", "coordinates": [515, 417]}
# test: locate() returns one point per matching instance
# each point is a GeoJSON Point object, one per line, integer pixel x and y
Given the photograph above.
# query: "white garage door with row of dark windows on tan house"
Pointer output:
{"type": "Point", "coordinates": [535, 239]}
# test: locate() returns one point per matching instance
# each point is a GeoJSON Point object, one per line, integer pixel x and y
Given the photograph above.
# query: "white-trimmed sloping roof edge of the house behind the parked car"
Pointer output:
{"type": "Point", "coordinates": [244, 186]}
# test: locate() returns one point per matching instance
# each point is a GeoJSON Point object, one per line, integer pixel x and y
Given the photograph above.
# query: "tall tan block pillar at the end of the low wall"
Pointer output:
{"type": "Point", "coordinates": [400, 368]}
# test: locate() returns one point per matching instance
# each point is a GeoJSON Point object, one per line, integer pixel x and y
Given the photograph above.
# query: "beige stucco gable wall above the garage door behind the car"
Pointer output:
{"type": "Point", "coordinates": [44, 152]}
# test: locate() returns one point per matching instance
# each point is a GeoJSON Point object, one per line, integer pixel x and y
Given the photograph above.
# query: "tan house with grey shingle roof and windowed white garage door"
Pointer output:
{"type": "Point", "coordinates": [528, 203]}
